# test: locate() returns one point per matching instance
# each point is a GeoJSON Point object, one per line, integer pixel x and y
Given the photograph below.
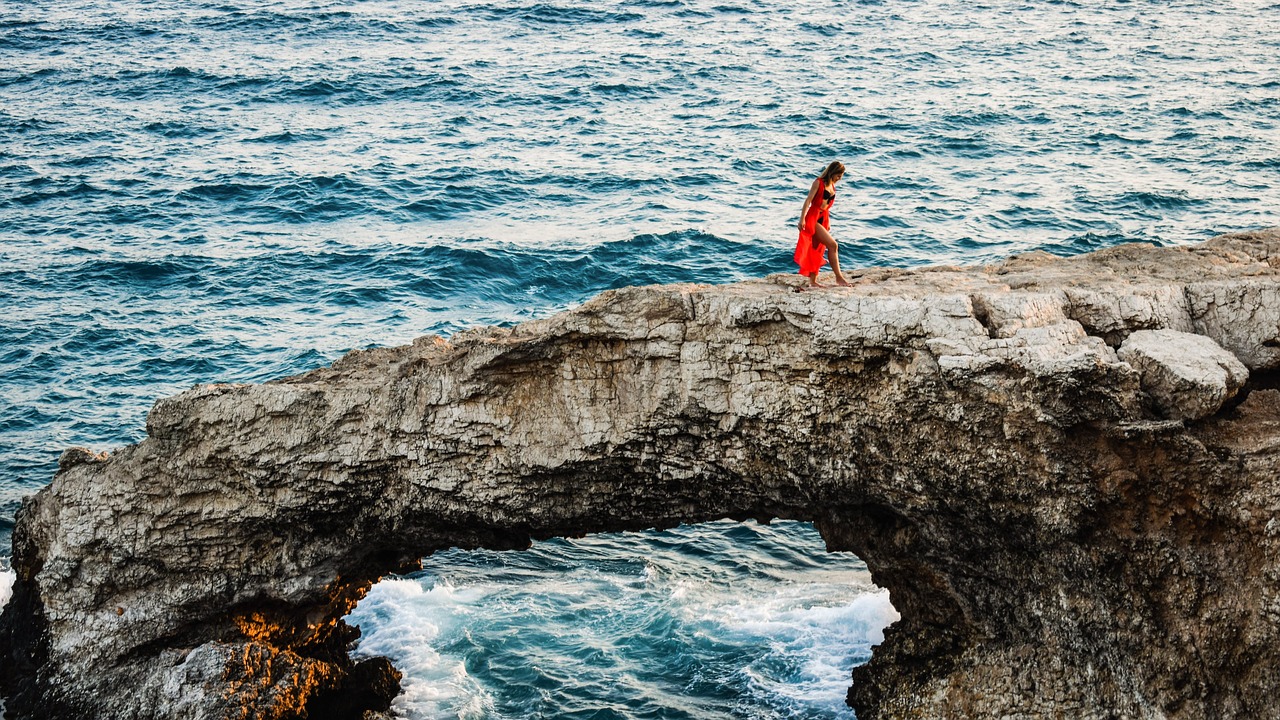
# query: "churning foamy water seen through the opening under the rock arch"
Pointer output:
{"type": "Point", "coordinates": [634, 621]}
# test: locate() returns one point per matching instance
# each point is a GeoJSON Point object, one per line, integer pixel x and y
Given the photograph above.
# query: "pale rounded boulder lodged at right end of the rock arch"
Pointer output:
{"type": "Point", "coordinates": [1187, 376]}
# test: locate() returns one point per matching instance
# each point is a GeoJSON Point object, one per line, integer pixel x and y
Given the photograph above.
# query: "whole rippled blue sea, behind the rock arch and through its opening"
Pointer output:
{"type": "Point", "coordinates": [200, 192]}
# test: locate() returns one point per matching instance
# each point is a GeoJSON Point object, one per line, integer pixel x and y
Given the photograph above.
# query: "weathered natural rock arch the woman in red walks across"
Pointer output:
{"type": "Point", "coordinates": [1066, 472]}
